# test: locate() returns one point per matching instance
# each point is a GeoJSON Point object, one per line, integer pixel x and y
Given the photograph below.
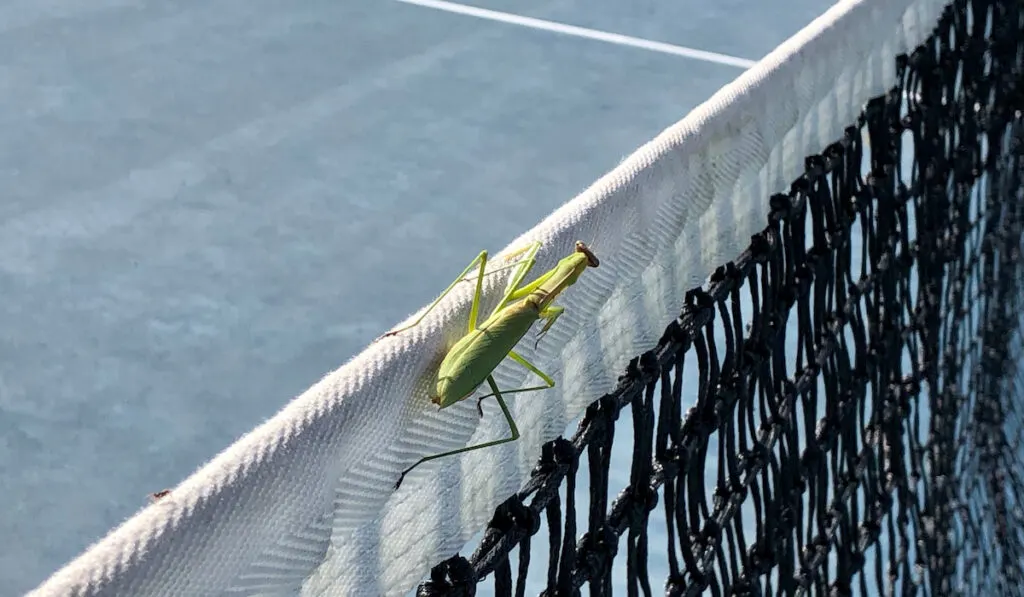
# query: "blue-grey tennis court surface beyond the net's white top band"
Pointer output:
{"type": "Point", "coordinates": [206, 206]}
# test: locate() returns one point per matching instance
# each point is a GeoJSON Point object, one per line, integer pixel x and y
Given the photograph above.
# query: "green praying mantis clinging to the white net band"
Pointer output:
{"type": "Point", "coordinates": [474, 359]}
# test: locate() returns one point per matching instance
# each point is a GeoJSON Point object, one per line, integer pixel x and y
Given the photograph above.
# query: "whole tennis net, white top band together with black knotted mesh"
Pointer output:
{"type": "Point", "coordinates": [851, 421]}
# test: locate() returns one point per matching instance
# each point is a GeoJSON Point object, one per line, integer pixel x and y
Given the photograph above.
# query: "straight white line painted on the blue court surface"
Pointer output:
{"type": "Point", "coordinates": [615, 38]}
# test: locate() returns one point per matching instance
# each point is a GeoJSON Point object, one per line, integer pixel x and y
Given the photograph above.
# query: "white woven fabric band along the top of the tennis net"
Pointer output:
{"type": "Point", "coordinates": [305, 503]}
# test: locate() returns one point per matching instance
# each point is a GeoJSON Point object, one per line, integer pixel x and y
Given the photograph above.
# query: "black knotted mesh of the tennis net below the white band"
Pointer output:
{"type": "Point", "coordinates": [855, 427]}
